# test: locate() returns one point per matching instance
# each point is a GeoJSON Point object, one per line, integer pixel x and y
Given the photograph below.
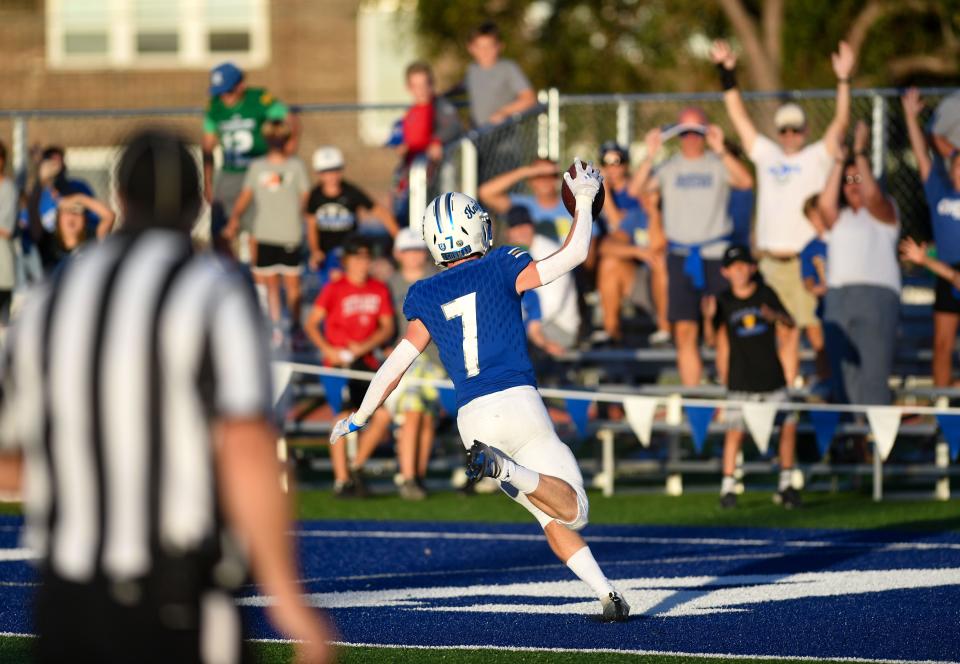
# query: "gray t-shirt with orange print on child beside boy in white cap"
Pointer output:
{"type": "Point", "coordinates": [278, 190]}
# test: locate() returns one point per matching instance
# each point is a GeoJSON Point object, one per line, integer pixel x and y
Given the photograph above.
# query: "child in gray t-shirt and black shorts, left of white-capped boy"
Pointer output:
{"type": "Point", "coordinates": [277, 185]}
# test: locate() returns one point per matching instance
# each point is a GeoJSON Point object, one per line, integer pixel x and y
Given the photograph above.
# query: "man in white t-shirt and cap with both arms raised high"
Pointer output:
{"type": "Point", "coordinates": [788, 171]}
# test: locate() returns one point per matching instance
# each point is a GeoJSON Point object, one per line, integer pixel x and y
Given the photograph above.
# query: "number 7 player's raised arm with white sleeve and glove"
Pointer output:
{"type": "Point", "coordinates": [585, 187]}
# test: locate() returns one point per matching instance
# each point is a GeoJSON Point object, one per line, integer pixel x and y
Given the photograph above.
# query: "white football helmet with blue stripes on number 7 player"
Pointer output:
{"type": "Point", "coordinates": [455, 226]}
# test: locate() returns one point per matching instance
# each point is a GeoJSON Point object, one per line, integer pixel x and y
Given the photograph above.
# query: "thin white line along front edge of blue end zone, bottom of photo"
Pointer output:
{"type": "Point", "coordinates": [616, 651]}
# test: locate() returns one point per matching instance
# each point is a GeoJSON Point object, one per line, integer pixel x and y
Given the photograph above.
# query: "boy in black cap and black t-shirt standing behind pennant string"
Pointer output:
{"type": "Point", "coordinates": [750, 313]}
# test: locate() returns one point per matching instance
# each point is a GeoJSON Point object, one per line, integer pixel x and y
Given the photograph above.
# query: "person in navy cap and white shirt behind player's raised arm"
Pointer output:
{"type": "Point", "coordinates": [558, 299]}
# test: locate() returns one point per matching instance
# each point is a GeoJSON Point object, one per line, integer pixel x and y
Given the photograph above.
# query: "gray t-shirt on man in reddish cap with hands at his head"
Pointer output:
{"type": "Point", "coordinates": [695, 194]}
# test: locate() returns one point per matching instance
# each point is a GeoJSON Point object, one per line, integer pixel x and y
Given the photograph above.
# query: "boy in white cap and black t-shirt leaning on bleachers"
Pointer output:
{"type": "Point", "coordinates": [336, 207]}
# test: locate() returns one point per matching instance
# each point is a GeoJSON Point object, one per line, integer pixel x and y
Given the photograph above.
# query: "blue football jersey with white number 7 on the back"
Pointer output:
{"type": "Point", "coordinates": [472, 311]}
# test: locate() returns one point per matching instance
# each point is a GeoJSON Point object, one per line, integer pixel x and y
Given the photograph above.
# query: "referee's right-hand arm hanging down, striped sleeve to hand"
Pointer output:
{"type": "Point", "coordinates": [248, 469]}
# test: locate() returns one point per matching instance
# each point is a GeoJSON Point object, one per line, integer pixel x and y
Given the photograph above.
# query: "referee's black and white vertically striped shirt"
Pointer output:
{"type": "Point", "coordinates": [114, 376]}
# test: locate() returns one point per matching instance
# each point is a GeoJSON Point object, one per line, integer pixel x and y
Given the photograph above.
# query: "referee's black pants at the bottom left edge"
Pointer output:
{"type": "Point", "coordinates": [86, 622]}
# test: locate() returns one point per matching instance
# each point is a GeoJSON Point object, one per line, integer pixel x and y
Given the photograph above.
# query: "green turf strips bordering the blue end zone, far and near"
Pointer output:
{"type": "Point", "coordinates": [821, 510]}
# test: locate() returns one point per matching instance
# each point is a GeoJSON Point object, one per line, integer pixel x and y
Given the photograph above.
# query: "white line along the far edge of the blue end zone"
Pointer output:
{"type": "Point", "coordinates": [625, 539]}
